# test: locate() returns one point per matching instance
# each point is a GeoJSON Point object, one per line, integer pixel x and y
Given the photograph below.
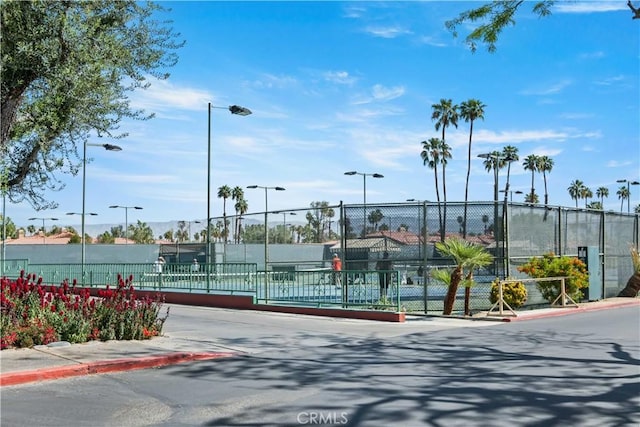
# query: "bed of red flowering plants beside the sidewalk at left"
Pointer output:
{"type": "Point", "coordinates": [32, 313]}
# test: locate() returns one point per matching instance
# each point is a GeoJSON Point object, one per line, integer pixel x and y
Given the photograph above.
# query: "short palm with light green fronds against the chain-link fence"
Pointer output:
{"type": "Point", "coordinates": [467, 256]}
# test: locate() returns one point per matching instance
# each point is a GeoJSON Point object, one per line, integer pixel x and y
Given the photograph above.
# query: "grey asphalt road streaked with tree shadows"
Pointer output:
{"type": "Point", "coordinates": [577, 370]}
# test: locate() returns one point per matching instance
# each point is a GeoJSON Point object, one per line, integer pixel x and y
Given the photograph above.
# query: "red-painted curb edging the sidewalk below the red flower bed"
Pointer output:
{"type": "Point", "coordinates": [104, 366]}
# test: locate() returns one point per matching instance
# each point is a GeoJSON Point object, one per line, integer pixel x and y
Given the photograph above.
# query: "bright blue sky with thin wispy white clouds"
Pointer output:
{"type": "Point", "coordinates": [341, 86]}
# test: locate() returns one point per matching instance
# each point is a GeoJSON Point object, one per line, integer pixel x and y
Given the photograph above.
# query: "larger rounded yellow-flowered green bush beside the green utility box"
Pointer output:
{"type": "Point", "coordinates": [551, 266]}
